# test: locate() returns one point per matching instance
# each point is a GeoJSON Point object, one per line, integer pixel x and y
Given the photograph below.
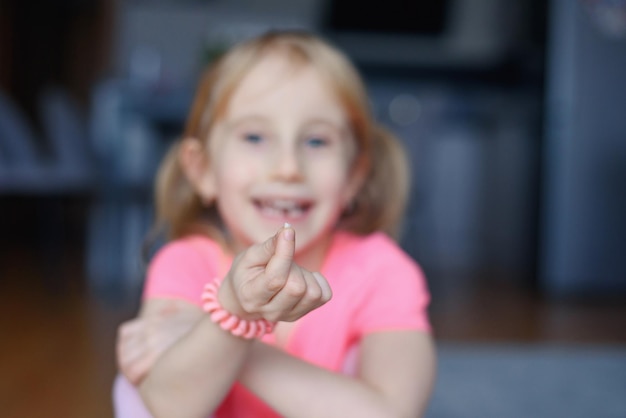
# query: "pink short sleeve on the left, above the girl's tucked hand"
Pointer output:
{"type": "Point", "coordinates": [180, 270]}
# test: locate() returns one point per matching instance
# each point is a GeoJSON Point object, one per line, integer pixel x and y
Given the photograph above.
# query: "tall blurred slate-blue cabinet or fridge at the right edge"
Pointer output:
{"type": "Point", "coordinates": [583, 239]}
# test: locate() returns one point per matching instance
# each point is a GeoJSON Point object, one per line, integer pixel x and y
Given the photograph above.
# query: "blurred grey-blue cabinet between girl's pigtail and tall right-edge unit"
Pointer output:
{"type": "Point", "coordinates": [474, 155]}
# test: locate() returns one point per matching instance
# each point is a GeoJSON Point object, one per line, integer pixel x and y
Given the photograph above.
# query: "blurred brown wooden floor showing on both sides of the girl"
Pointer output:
{"type": "Point", "coordinates": [57, 358]}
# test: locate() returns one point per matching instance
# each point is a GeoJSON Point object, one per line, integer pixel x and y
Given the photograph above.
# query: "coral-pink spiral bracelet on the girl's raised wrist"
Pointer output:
{"type": "Point", "coordinates": [239, 327]}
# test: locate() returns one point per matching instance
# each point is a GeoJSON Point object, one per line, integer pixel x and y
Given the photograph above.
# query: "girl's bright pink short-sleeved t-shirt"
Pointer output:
{"type": "Point", "coordinates": [376, 287]}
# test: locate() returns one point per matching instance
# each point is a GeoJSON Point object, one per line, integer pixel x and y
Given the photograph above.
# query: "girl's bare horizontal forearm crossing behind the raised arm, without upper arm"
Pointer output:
{"type": "Point", "coordinates": [288, 384]}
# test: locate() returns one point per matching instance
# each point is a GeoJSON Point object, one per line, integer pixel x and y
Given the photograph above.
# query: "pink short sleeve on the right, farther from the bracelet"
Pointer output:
{"type": "Point", "coordinates": [395, 297]}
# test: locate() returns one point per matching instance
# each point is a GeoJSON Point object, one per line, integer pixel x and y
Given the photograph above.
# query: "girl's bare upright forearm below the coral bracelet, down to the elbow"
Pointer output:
{"type": "Point", "coordinates": [194, 375]}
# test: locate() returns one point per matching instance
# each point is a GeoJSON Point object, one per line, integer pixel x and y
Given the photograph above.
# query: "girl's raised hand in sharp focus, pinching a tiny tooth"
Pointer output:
{"type": "Point", "coordinates": [265, 282]}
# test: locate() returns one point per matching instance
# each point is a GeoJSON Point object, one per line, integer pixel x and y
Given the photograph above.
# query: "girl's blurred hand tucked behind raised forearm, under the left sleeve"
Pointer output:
{"type": "Point", "coordinates": [141, 341]}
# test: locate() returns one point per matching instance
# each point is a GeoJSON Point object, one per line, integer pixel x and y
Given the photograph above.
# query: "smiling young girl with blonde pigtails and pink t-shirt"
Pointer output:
{"type": "Point", "coordinates": [281, 189]}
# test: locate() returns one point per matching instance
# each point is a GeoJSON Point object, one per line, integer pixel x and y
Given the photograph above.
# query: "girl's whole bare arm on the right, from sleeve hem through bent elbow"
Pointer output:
{"type": "Point", "coordinates": [395, 379]}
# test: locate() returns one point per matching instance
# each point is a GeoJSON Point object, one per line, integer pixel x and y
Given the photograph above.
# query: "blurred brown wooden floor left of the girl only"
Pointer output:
{"type": "Point", "coordinates": [56, 356]}
